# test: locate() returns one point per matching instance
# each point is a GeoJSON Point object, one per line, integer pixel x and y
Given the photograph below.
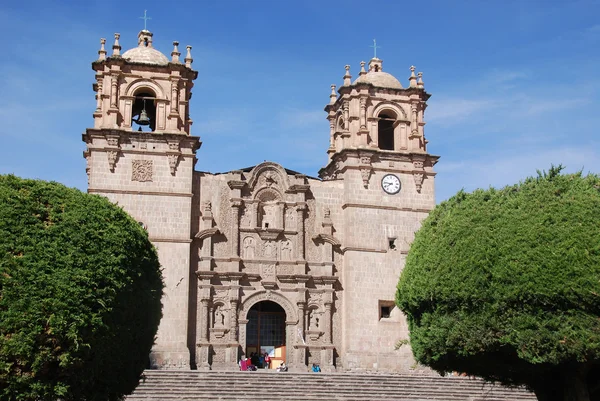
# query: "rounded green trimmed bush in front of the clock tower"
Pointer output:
{"type": "Point", "coordinates": [505, 285]}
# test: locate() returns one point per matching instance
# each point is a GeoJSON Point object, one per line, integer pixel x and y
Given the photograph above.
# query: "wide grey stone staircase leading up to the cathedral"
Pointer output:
{"type": "Point", "coordinates": [162, 385]}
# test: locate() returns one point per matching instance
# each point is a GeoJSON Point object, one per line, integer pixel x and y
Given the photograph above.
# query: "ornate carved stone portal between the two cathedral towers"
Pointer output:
{"type": "Point", "coordinates": [253, 278]}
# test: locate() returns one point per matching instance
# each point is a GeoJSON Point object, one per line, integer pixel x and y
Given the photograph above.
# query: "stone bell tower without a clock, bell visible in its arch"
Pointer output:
{"type": "Point", "coordinates": [140, 154]}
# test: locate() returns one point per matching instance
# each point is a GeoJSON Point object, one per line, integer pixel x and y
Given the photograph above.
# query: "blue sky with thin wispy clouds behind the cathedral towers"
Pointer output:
{"type": "Point", "coordinates": [515, 84]}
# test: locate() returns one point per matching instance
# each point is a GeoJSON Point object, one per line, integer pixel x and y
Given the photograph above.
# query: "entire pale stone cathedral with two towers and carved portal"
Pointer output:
{"type": "Point", "coordinates": [265, 259]}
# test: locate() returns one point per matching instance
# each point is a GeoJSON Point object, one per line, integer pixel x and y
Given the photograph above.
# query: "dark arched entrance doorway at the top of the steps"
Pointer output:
{"type": "Point", "coordinates": [265, 331]}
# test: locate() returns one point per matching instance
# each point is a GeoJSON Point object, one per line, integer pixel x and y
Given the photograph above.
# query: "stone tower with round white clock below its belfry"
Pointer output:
{"type": "Point", "coordinates": [378, 154]}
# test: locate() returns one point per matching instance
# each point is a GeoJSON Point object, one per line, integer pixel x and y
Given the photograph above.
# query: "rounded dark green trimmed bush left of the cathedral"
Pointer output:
{"type": "Point", "coordinates": [80, 290]}
